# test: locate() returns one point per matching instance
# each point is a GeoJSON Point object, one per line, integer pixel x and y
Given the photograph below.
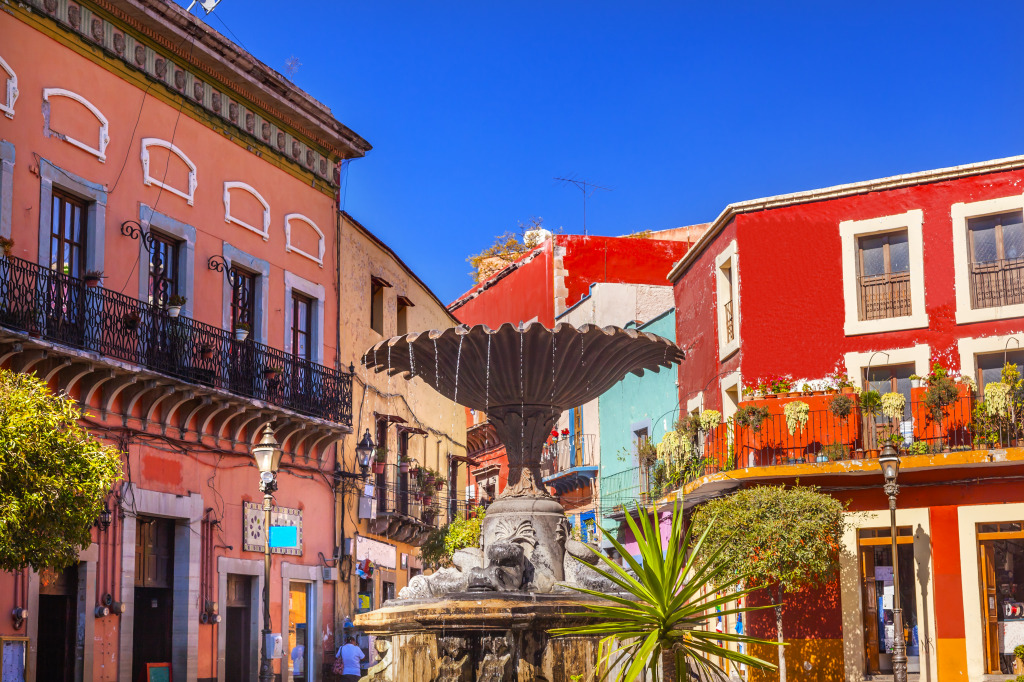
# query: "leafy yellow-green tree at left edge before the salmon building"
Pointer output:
{"type": "Point", "coordinates": [54, 477]}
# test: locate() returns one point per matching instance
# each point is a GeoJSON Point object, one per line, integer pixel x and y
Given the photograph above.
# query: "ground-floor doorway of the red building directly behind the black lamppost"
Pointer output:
{"type": "Point", "coordinates": [875, 548]}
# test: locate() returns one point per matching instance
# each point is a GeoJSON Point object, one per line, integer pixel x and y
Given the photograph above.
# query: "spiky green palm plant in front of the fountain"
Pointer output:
{"type": "Point", "coordinates": [666, 606]}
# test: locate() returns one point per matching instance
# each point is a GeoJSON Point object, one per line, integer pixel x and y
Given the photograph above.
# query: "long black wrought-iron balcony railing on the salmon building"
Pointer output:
{"type": "Point", "coordinates": [62, 309]}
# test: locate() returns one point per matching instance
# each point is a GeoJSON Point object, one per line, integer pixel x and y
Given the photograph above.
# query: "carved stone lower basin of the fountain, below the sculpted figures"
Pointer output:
{"type": "Point", "coordinates": [481, 637]}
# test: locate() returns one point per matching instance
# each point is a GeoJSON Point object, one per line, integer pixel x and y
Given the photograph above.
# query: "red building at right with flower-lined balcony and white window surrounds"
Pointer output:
{"type": "Point", "coordinates": [878, 281]}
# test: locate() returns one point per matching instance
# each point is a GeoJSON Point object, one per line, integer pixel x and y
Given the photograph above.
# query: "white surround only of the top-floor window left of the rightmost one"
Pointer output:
{"type": "Point", "coordinates": [850, 231]}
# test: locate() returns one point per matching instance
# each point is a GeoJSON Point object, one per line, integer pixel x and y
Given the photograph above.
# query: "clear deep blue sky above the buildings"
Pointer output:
{"type": "Point", "coordinates": [474, 108]}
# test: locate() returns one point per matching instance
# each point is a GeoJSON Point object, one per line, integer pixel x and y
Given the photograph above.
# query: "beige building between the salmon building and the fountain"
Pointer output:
{"type": "Point", "coordinates": [388, 520]}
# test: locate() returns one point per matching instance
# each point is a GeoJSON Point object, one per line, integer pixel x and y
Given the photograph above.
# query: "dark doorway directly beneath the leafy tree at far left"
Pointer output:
{"type": "Point", "coordinates": [58, 619]}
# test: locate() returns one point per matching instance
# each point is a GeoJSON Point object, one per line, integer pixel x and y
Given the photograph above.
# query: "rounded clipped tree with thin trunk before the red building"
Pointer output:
{"type": "Point", "coordinates": [787, 538]}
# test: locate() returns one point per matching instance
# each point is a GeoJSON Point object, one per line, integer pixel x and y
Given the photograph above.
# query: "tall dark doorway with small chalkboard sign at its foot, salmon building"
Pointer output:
{"type": "Point", "coordinates": [154, 592]}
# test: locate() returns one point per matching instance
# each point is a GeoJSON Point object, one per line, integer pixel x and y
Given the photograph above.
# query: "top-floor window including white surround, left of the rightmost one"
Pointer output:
{"type": "Point", "coordinates": [883, 274]}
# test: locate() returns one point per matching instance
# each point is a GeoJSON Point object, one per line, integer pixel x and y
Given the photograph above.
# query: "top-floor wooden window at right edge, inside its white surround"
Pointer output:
{"type": "Point", "coordinates": [997, 249]}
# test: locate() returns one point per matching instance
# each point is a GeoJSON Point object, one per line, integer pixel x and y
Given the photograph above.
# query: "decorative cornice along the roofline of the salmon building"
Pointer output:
{"type": "Point", "coordinates": [193, 62]}
